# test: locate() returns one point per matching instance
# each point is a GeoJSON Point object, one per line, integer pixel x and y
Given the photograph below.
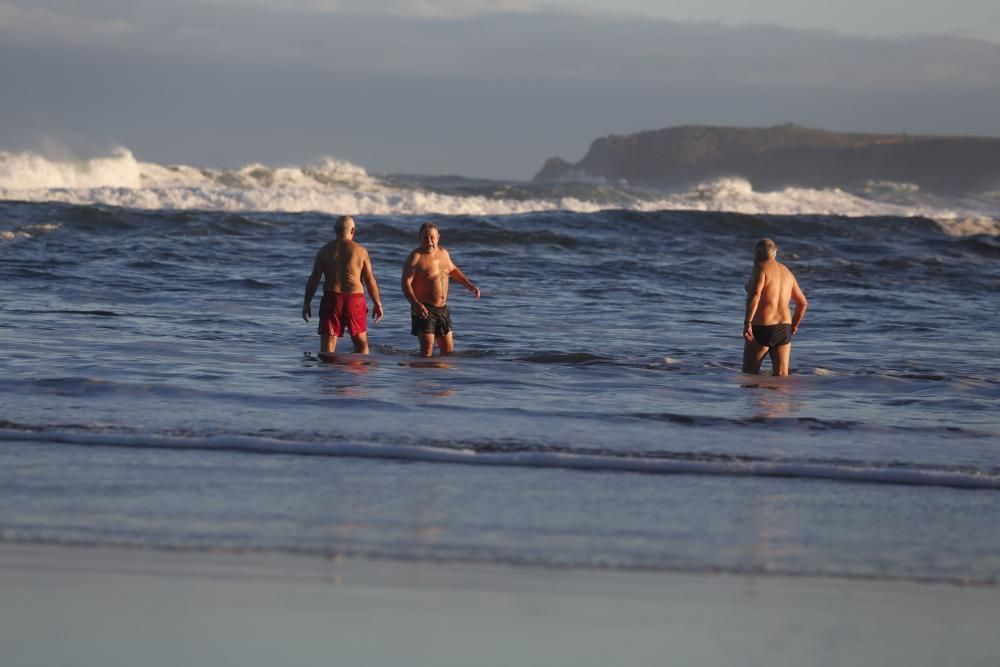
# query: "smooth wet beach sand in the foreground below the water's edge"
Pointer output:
{"type": "Point", "coordinates": [84, 606]}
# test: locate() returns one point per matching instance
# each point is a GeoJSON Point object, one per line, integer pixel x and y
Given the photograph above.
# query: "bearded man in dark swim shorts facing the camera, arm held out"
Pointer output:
{"type": "Point", "coordinates": [425, 285]}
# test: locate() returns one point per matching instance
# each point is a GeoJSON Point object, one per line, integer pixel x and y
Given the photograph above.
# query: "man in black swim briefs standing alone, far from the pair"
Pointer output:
{"type": "Point", "coordinates": [769, 324]}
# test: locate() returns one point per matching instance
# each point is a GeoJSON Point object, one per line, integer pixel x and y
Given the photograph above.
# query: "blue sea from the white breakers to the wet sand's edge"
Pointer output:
{"type": "Point", "coordinates": [158, 387]}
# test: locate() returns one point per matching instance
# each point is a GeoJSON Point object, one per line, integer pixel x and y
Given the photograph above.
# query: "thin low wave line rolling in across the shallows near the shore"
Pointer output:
{"type": "Point", "coordinates": [529, 455]}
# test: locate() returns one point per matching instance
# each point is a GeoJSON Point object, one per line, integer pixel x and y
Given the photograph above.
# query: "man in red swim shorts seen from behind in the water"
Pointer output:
{"type": "Point", "coordinates": [348, 270]}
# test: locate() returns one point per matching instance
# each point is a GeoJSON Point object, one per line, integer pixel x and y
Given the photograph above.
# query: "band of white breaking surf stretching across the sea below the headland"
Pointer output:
{"type": "Point", "coordinates": [335, 186]}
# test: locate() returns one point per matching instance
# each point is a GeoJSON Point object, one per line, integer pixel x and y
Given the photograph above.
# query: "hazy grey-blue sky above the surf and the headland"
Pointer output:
{"type": "Point", "coordinates": [484, 88]}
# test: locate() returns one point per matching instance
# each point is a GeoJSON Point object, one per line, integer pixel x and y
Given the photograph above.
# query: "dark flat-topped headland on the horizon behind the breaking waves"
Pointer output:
{"type": "Point", "coordinates": [786, 156]}
